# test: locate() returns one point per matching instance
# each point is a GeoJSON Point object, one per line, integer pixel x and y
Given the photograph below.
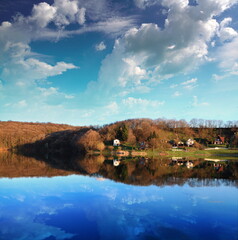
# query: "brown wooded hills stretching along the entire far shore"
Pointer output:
{"type": "Point", "coordinates": [159, 133]}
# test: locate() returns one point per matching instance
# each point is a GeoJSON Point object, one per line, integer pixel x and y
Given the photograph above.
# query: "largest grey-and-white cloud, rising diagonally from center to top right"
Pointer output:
{"type": "Point", "coordinates": [147, 54]}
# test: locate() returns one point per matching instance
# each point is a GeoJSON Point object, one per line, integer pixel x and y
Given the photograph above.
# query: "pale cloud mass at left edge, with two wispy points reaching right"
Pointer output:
{"type": "Point", "coordinates": [22, 73]}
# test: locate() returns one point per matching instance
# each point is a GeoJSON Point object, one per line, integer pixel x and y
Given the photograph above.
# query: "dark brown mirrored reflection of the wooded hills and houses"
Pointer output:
{"type": "Point", "coordinates": [136, 171]}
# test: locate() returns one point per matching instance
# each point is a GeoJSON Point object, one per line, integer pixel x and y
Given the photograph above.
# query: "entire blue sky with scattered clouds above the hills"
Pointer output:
{"type": "Point", "coordinates": [90, 62]}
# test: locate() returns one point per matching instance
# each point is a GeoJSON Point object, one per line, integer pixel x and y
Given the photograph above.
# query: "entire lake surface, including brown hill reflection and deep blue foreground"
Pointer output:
{"type": "Point", "coordinates": [168, 199]}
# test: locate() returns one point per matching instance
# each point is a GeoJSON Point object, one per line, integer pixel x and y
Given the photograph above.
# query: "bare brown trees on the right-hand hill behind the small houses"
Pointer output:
{"type": "Point", "coordinates": [160, 132]}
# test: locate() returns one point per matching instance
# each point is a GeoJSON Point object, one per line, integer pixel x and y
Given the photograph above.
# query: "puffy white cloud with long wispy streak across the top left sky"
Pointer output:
{"type": "Point", "coordinates": [62, 13]}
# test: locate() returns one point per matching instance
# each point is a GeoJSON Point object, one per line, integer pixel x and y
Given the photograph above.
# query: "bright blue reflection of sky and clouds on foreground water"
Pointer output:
{"type": "Point", "coordinates": [79, 207]}
